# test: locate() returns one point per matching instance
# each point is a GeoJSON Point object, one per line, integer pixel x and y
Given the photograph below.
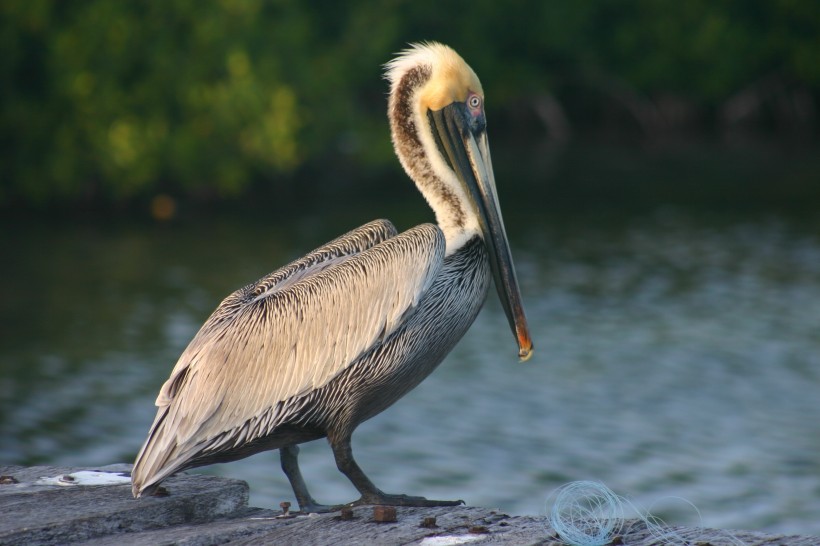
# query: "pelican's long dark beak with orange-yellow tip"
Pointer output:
{"type": "Point", "coordinates": [463, 141]}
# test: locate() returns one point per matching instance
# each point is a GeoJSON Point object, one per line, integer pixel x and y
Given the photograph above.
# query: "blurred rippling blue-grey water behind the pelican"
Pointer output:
{"type": "Point", "coordinates": [677, 357]}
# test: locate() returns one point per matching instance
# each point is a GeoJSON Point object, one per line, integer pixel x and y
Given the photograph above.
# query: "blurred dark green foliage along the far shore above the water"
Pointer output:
{"type": "Point", "coordinates": [123, 100]}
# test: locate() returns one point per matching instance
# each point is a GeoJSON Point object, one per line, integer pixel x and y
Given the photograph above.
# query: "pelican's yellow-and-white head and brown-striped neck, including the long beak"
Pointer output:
{"type": "Point", "coordinates": [439, 132]}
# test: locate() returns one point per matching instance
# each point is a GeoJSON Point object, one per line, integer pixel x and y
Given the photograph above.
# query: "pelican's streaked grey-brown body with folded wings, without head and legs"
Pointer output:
{"type": "Point", "coordinates": [317, 346]}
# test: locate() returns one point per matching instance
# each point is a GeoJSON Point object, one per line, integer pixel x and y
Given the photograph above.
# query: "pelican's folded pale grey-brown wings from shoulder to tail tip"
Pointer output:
{"type": "Point", "coordinates": [288, 334]}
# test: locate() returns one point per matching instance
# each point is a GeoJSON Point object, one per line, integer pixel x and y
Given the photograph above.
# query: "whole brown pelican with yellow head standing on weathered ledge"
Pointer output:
{"type": "Point", "coordinates": [336, 337]}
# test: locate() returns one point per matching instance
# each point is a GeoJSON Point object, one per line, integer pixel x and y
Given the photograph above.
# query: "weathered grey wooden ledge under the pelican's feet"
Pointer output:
{"type": "Point", "coordinates": [202, 510]}
